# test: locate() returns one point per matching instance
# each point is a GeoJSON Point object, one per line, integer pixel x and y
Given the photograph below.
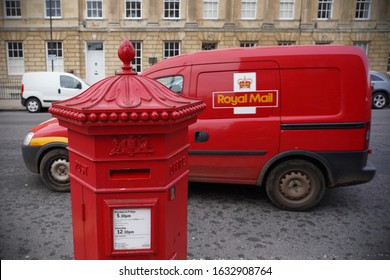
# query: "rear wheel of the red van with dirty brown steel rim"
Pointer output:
{"type": "Point", "coordinates": [295, 185]}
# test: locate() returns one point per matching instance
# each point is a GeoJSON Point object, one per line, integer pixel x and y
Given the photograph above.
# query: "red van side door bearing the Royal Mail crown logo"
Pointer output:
{"type": "Point", "coordinates": [240, 128]}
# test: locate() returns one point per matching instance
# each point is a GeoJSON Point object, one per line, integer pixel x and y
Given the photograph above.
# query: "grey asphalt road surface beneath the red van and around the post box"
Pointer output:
{"type": "Point", "coordinates": [224, 221]}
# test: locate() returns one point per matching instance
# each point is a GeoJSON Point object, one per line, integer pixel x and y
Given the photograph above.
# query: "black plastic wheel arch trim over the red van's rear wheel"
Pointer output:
{"type": "Point", "coordinates": [311, 157]}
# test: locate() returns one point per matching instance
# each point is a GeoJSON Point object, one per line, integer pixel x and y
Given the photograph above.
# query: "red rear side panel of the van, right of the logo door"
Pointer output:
{"type": "Point", "coordinates": [325, 108]}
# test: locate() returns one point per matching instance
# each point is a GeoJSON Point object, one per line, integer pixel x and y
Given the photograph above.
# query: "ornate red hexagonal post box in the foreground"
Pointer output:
{"type": "Point", "coordinates": [128, 153]}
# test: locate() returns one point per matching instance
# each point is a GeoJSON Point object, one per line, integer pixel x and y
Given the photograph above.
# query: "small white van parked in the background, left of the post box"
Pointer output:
{"type": "Point", "coordinates": [40, 89]}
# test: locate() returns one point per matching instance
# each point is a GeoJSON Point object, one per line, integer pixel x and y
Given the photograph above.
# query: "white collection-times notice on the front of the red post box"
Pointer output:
{"type": "Point", "coordinates": [132, 228]}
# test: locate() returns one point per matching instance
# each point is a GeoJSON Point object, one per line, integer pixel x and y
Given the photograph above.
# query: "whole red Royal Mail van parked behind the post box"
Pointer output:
{"type": "Point", "coordinates": [295, 120]}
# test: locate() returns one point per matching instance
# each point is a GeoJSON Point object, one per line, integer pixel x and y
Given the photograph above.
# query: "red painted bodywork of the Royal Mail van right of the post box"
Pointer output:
{"type": "Point", "coordinates": [323, 105]}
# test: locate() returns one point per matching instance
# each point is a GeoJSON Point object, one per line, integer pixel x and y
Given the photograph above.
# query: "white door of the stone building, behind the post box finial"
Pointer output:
{"type": "Point", "coordinates": [95, 62]}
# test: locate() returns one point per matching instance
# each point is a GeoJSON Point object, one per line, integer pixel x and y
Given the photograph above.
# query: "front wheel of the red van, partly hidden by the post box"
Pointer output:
{"type": "Point", "coordinates": [54, 169]}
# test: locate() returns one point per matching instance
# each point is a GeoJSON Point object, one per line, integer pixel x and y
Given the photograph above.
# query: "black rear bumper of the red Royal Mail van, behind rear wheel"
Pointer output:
{"type": "Point", "coordinates": [349, 168]}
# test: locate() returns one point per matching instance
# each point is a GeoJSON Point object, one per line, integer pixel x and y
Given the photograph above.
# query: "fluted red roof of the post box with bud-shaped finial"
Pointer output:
{"type": "Point", "coordinates": [126, 98]}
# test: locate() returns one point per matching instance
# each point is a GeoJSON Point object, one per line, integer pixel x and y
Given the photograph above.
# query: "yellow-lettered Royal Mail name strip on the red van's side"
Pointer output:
{"type": "Point", "coordinates": [259, 99]}
